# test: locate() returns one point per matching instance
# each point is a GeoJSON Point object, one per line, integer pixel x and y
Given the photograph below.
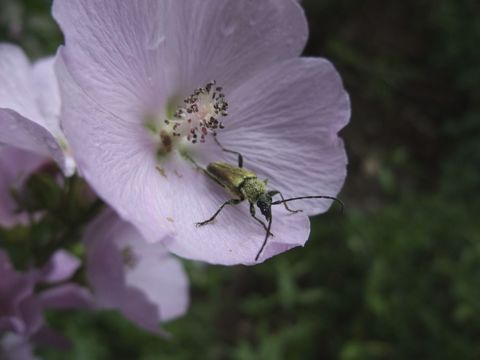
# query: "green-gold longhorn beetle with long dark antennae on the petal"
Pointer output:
{"type": "Point", "coordinates": [244, 184]}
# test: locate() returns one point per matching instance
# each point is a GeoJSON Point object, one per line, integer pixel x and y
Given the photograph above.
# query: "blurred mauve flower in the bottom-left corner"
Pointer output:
{"type": "Point", "coordinates": [21, 305]}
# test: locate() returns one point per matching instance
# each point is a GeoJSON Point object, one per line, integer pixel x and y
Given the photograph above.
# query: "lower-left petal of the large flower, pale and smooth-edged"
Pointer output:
{"type": "Point", "coordinates": [115, 157]}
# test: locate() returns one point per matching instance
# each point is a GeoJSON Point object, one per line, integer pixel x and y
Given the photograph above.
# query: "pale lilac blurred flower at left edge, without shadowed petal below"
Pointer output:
{"type": "Point", "coordinates": [30, 107]}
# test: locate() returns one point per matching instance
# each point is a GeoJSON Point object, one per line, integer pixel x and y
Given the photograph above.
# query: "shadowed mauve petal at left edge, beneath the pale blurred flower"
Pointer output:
{"type": "Point", "coordinates": [15, 167]}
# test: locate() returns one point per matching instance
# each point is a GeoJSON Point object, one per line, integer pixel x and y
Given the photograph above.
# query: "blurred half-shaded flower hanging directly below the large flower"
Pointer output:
{"type": "Point", "coordinates": [139, 279]}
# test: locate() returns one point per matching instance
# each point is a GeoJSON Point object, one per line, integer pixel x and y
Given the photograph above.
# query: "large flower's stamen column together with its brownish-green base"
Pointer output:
{"type": "Point", "coordinates": [199, 115]}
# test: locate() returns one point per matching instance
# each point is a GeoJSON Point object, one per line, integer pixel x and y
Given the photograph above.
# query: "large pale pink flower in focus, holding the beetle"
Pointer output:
{"type": "Point", "coordinates": [147, 85]}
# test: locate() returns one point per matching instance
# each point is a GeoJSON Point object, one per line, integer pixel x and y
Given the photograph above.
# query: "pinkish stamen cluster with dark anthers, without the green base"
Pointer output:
{"type": "Point", "coordinates": [200, 115]}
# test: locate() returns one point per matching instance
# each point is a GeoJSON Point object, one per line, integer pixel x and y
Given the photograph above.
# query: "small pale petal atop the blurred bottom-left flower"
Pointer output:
{"type": "Point", "coordinates": [61, 266]}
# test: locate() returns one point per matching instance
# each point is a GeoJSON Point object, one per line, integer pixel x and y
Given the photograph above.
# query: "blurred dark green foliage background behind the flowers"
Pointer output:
{"type": "Point", "coordinates": [397, 276]}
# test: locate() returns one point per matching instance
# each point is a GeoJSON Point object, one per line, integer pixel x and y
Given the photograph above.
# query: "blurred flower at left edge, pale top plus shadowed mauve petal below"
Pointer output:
{"type": "Point", "coordinates": [30, 132]}
